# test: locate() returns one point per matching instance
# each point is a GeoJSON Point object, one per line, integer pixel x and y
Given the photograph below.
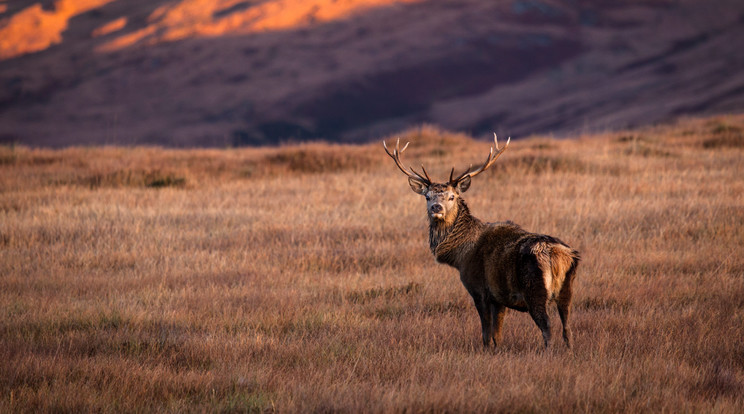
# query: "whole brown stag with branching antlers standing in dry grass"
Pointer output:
{"type": "Point", "coordinates": [501, 265]}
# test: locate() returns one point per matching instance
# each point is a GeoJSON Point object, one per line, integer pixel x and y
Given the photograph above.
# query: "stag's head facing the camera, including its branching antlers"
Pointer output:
{"type": "Point", "coordinates": [442, 198]}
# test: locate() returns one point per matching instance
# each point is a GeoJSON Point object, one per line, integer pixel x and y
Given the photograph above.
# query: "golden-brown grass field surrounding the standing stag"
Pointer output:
{"type": "Point", "coordinates": [298, 278]}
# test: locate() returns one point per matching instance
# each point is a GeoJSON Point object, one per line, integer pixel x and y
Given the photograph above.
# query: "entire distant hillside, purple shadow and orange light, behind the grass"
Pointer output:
{"type": "Point", "coordinates": [230, 72]}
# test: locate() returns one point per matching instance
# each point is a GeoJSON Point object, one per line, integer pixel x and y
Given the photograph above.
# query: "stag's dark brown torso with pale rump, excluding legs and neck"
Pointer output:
{"type": "Point", "coordinates": [518, 269]}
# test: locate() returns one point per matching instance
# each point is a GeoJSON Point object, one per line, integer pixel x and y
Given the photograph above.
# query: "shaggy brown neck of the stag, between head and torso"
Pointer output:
{"type": "Point", "coordinates": [451, 240]}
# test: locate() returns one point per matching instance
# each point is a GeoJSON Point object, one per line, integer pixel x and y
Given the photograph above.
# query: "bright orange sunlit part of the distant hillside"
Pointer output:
{"type": "Point", "coordinates": [34, 29]}
